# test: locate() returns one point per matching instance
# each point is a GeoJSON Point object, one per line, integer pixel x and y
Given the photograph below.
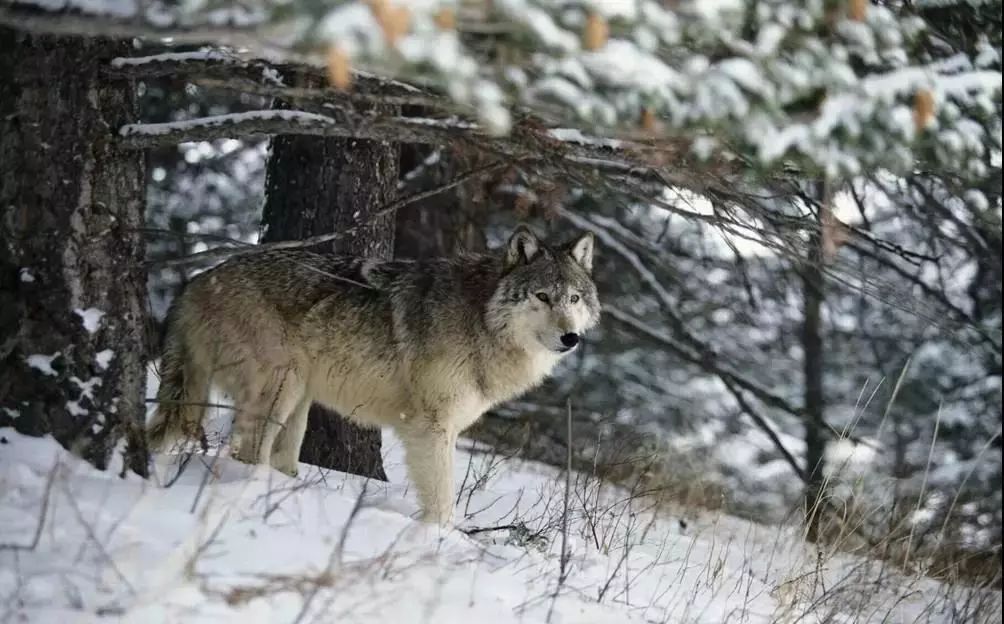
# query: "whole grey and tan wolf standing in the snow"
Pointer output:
{"type": "Point", "coordinates": [423, 348]}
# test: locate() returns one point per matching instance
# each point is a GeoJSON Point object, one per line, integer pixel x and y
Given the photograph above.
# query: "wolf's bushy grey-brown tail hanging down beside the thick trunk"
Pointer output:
{"type": "Point", "coordinates": [179, 404]}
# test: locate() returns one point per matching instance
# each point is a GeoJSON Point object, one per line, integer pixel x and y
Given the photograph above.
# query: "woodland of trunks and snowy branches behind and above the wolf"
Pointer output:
{"type": "Point", "coordinates": [798, 209]}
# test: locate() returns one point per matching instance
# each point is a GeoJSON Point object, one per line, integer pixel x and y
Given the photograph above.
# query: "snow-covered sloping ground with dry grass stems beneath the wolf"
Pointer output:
{"type": "Point", "coordinates": [226, 542]}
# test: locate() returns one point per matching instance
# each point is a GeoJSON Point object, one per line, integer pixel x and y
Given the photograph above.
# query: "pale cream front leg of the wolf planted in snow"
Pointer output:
{"type": "Point", "coordinates": [429, 453]}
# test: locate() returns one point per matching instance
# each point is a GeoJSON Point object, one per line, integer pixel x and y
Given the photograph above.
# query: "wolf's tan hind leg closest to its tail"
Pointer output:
{"type": "Point", "coordinates": [264, 415]}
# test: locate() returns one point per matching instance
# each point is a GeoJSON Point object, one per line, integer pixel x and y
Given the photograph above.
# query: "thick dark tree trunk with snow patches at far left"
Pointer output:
{"type": "Point", "coordinates": [73, 357]}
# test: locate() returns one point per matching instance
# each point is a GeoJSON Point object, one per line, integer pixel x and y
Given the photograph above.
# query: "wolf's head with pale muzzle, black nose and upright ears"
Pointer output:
{"type": "Point", "coordinates": [547, 297]}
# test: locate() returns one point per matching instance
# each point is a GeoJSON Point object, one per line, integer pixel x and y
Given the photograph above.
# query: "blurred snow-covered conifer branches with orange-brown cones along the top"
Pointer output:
{"type": "Point", "coordinates": [837, 91]}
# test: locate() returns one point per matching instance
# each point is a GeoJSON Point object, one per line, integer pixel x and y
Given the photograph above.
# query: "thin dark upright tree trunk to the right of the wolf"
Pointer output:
{"type": "Point", "coordinates": [813, 368]}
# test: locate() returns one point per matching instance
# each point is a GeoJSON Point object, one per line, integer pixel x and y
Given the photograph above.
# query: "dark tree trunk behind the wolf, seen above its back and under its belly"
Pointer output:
{"type": "Point", "coordinates": [318, 186]}
